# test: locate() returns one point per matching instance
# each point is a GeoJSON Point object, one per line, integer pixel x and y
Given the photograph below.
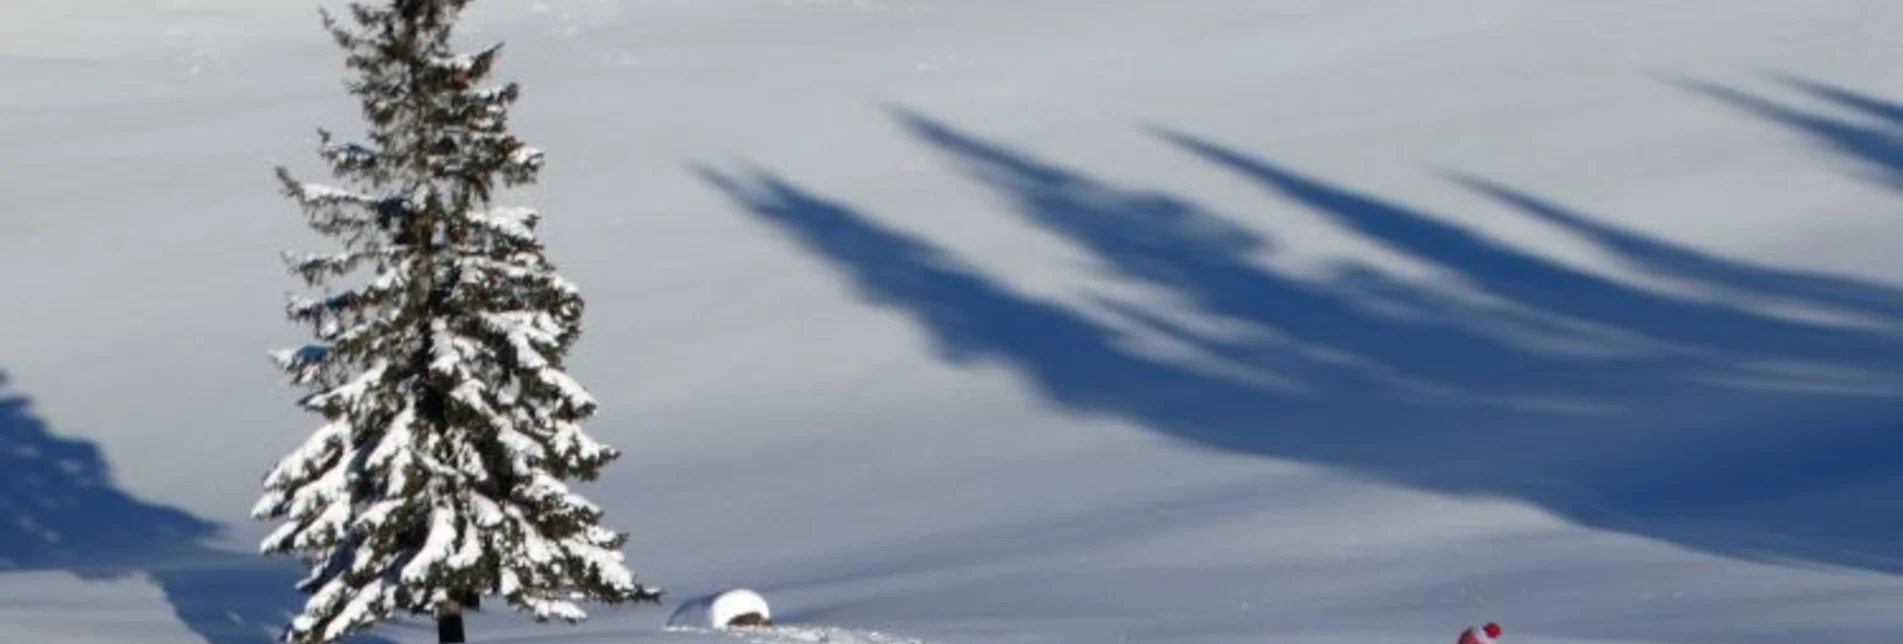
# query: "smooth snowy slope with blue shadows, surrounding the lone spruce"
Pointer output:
{"type": "Point", "coordinates": [1038, 321]}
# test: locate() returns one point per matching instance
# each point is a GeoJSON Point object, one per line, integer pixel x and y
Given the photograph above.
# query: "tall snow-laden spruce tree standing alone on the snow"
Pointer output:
{"type": "Point", "coordinates": [450, 430]}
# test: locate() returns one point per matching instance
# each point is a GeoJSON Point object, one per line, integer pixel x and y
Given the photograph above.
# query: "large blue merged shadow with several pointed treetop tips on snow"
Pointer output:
{"type": "Point", "coordinates": [1717, 428]}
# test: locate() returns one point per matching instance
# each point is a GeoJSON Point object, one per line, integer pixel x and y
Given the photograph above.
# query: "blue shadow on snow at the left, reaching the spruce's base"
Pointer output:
{"type": "Point", "coordinates": [60, 512]}
